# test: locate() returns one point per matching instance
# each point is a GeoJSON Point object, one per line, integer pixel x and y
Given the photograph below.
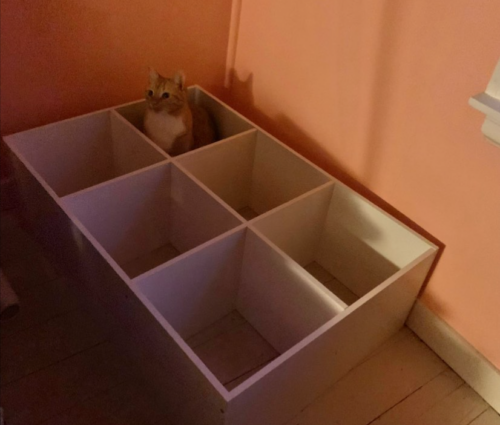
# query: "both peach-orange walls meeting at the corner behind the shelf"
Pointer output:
{"type": "Point", "coordinates": [374, 90]}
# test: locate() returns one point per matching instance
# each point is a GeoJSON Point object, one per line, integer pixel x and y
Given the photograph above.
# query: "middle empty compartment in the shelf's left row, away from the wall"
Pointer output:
{"type": "Point", "coordinates": [150, 217]}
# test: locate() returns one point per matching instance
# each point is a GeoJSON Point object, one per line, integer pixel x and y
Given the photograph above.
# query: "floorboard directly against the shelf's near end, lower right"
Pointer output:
{"type": "Point", "coordinates": [374, 386]}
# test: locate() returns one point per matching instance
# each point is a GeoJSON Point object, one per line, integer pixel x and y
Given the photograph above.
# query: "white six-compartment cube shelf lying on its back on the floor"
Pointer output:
{"type": "Point", "coordinates": [245, 280]}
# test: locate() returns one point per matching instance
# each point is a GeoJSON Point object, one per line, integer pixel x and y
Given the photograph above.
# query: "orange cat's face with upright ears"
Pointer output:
{"type": "Point", "coordinates": [165, 94]}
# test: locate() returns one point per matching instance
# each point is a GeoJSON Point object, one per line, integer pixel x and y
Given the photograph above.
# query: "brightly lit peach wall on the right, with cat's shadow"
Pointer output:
{"type": "Point", "coordinates": [377, 90]}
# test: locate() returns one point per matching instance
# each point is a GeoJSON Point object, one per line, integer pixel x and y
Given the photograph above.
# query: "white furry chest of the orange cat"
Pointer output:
{"type": "Point", "coordinates": [164, 128]}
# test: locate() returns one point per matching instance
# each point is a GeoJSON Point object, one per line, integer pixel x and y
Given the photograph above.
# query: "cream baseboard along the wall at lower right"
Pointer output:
{"type": "Point", "coordinates": [461, 356]}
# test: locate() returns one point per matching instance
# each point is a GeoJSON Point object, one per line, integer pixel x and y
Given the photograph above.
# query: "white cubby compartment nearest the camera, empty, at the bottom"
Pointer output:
{"type": "Point", "coordinates": [238, 304]}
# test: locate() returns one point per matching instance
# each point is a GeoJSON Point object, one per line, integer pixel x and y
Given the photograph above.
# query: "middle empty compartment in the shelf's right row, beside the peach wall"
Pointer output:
{"type": "Point", "coordinates": [253, 173]}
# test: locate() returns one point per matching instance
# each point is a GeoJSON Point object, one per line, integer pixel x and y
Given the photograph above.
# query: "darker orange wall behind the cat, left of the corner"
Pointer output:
{"type": "Point", "coordinates": [61, 58]}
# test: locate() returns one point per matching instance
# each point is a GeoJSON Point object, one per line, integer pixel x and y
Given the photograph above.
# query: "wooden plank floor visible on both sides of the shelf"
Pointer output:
{"type": "Point", "coordinates": [59, 368]}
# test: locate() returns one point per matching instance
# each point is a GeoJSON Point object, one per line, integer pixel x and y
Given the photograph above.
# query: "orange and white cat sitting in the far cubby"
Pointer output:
{"type": "Point", "coordinates": [171, 121]}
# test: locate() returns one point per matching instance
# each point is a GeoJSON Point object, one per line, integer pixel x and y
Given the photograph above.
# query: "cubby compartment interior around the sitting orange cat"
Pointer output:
{"type": "Point", "coordinates": [227, 122]}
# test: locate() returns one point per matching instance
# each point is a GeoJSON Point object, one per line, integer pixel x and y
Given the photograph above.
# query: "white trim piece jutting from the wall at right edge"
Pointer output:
{"type": "Point", "coordinates": [488, 102]}
